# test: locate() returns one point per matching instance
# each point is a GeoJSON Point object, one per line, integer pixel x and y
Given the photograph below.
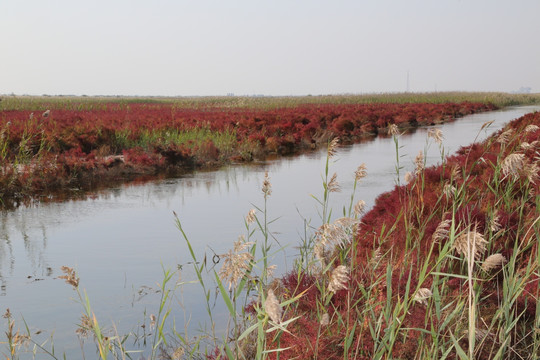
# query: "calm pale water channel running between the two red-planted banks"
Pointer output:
{"type": "Point", "coordinates": [120, 240]}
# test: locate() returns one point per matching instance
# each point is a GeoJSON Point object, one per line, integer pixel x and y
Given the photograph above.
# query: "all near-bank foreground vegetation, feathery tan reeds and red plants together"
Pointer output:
{"type": "Point", "coordinates": [443, 267]}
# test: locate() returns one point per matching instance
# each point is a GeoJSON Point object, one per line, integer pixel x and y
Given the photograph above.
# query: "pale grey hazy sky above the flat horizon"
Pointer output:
{"type": "Point", "coordinates": [270, 47]}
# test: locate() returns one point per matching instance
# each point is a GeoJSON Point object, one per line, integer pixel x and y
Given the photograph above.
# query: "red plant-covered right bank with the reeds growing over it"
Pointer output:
{"type": "Point", "coordinates": [445, 266]}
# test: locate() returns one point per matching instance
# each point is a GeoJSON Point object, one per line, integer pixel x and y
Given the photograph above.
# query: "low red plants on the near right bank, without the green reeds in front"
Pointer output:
{"type": "Point", "coordinates": [474, 192]}
